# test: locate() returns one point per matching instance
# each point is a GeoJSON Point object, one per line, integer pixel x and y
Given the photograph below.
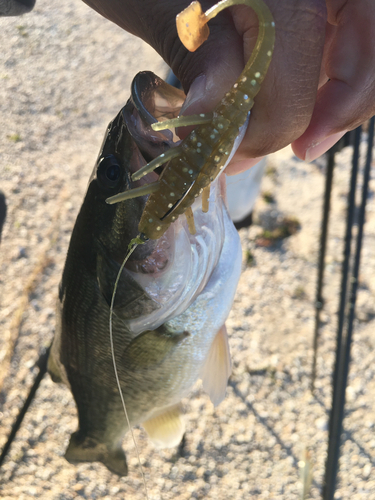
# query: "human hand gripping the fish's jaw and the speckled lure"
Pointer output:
{"type": "Point", "coordinates": [316, 40]}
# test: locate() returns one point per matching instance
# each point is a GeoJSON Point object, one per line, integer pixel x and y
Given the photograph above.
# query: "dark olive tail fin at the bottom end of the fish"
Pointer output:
{"type": "Point", "coordinates": [90, 450]}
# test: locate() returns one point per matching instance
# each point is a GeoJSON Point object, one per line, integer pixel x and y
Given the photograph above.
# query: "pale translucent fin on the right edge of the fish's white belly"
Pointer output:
{"type": "Point", "coordinates": [217, 368]}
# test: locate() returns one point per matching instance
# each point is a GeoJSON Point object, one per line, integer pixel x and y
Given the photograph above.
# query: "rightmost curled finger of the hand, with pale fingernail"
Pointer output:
{"type": "Point", "coordinates": [346, 95]}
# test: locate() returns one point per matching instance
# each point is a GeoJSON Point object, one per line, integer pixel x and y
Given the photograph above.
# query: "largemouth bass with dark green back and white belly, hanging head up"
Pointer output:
{"type": "Point", "coordinates": [173, 296]}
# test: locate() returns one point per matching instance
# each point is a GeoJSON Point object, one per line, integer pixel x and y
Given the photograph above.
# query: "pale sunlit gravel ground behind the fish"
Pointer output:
{"type": "Point", "coordinates": [65, 72]}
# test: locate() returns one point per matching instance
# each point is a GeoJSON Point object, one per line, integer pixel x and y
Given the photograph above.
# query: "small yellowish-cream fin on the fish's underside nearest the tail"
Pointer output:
{"type": "Point", "coordinates": [166, 430]}
